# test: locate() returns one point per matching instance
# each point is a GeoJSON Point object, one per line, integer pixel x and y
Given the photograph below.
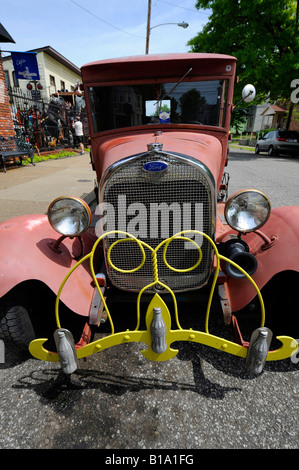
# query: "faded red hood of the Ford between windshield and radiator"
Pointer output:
{"type": "Point", "coordinates": [208, 149]}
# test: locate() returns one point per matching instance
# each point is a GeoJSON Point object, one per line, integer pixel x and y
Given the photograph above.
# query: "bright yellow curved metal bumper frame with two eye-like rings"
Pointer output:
{"type": "Point", "coordinates": [288, 348]}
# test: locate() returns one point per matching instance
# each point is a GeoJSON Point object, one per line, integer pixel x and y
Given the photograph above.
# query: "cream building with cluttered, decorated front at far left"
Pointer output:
{"type": "Point", "coordinates": [42, 111]}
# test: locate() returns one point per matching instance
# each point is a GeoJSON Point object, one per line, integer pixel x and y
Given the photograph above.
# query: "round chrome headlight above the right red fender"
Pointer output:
{"type": "Point", "coordinates": [247, 210]}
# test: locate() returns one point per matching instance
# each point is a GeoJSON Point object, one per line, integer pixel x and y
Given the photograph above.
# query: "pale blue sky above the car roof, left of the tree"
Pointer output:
{"type": "Point", "coordinates": [87, 30]}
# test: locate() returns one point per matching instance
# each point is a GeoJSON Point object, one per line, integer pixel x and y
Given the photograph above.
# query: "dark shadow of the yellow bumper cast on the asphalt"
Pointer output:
{"type": "Point", "coordinates": [64, 392]}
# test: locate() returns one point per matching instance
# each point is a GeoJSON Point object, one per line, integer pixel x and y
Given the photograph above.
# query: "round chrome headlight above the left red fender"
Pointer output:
{"type": "Point", "coordinates": [69, 216]}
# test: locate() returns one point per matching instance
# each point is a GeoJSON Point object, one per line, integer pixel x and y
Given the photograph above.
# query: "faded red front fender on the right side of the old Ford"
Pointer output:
{"type": "Point", "coordinates": [282, 255]}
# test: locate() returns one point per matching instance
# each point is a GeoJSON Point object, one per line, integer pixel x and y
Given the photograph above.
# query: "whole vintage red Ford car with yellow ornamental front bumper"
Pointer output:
{"type": "Point", "coordinates": [165, 246]}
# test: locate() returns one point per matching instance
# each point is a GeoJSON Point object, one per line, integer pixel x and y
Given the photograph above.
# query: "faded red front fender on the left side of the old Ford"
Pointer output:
{"type": "Point", "coordinates": [25, 255]}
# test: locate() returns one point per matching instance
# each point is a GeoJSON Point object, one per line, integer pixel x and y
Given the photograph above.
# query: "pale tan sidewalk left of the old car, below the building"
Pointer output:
{"type": "Point", "coordinates": [30, 189]}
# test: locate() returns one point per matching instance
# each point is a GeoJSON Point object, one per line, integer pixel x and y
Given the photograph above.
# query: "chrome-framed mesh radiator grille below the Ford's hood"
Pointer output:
{"type": "Point", "coordinates": [155, 206]}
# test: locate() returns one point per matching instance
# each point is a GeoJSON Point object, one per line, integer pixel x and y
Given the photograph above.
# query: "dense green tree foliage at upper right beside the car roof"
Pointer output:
{"type": "Point", "coordinates": [262, 34]}
